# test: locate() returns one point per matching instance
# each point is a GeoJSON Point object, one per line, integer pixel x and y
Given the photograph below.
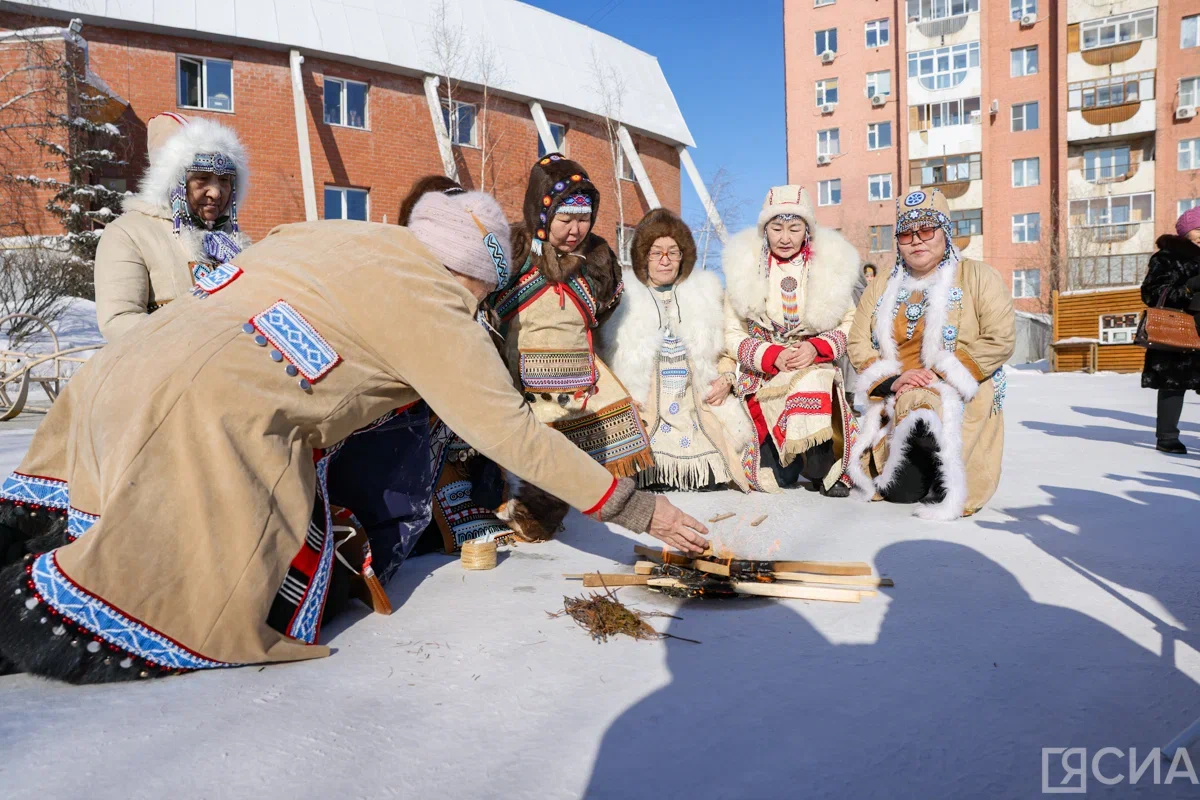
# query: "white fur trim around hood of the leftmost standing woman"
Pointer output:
{"type": "Point", "coordinates": [173, 158]}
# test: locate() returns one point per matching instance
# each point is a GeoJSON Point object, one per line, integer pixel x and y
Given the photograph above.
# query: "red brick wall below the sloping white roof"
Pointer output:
{"type": "Point", "coordinates": [398, 148]}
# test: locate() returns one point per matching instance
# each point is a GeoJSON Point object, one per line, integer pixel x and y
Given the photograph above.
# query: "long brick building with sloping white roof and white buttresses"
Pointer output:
{"type": "Point", "coordinates": [340, 109]}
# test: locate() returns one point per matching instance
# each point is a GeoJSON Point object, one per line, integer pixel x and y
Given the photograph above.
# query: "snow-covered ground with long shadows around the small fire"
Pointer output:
{"type": "Point", "coordinates": [1066, 615]}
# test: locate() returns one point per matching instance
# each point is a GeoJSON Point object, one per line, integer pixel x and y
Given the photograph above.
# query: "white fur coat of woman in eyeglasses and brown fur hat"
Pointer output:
{"type": "Point", "coordinates": [632, 344]}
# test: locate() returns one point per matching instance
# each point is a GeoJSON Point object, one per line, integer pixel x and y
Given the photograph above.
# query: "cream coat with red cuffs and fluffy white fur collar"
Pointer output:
{"type": "Point", "coordinates": [808, 407]}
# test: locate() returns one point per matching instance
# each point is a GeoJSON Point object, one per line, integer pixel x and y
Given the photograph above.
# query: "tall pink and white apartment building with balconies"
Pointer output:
{"type": "Point", "coordinates": [1064, 134]}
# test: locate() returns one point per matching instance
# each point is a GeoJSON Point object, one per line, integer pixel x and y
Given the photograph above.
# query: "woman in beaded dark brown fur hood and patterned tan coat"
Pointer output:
{"type": "Point", "coordinates": [567, 285]}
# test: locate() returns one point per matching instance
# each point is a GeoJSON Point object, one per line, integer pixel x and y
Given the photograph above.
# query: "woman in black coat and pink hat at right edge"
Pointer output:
{"type": "Point", "coordinates": [1174, 270]}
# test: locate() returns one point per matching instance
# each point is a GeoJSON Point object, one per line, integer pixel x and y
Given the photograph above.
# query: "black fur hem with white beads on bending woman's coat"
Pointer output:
{"type": "Point", "coordinates": [35, 640]}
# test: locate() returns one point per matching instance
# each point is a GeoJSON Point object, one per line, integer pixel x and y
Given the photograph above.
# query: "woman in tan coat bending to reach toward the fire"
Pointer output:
{"type": "Point", "coordinates": [173, 510]}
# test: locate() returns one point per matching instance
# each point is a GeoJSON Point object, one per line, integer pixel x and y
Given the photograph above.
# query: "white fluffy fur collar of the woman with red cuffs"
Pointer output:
{"type": "Point", "coordinates": [833, 275]}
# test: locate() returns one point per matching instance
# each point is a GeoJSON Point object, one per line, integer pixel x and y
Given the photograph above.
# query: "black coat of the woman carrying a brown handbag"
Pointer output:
{"type": "Point", "coordinates": [1177, 262]}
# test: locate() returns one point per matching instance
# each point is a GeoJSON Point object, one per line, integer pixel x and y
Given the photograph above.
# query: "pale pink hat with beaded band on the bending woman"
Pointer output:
{"type": "Point", "coordinates": [467, 232]}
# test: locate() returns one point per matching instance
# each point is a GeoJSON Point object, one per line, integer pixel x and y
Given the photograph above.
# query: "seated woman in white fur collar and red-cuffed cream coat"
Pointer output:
{"type": "Point", "coordinates": [790, 302]}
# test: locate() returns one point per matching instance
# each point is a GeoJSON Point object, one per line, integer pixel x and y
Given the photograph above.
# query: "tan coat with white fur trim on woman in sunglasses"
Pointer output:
{"type": "Point", "coordinates": [969, 333]}
